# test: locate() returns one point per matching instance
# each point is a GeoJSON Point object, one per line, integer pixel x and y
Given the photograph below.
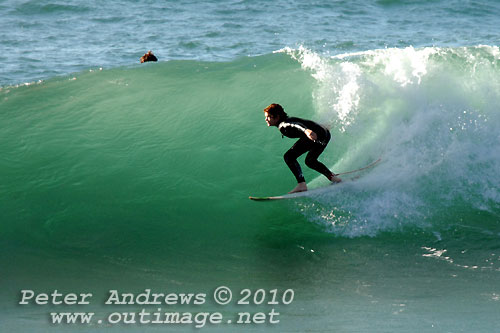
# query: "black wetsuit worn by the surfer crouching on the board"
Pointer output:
{"type": "Point", "coordinates": [293, 127]}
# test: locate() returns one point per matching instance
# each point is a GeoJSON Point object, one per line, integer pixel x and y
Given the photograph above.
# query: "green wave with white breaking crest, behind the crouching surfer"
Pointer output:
{"type": "Point", "coordinates": [162, 157]}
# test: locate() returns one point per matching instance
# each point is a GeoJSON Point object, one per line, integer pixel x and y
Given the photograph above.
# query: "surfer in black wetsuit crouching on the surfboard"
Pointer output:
{"type": "Point", "coordinates": [313, 138]}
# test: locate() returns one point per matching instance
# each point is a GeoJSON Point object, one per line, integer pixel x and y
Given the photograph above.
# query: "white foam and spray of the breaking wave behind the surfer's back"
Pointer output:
{"type": "Point", "coordinates": [430, 113]}
